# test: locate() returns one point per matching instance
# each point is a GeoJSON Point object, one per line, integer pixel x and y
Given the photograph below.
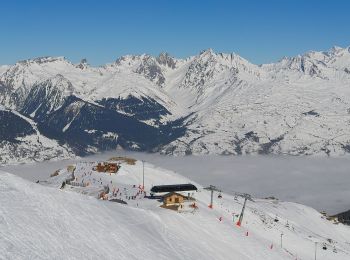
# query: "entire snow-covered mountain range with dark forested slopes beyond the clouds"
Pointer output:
{"type": "Point", "coordinates": [208, 103]}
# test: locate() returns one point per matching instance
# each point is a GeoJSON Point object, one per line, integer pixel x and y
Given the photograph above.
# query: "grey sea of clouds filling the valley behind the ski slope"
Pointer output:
{"type": "Point", "coordinates": [320, 182]}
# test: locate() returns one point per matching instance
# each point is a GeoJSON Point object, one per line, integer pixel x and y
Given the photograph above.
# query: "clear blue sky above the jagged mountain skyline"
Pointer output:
{"type": "Point", "coordinates": [261, 31]}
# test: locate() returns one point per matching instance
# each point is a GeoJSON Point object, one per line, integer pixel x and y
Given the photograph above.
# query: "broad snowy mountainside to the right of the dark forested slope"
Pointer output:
{"type": "Point", "coordinates": [275, 108]}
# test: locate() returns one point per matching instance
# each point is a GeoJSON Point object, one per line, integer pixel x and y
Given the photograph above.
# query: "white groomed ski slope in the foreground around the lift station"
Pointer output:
{"type": "Point", "coordinates": [47, 221]}
